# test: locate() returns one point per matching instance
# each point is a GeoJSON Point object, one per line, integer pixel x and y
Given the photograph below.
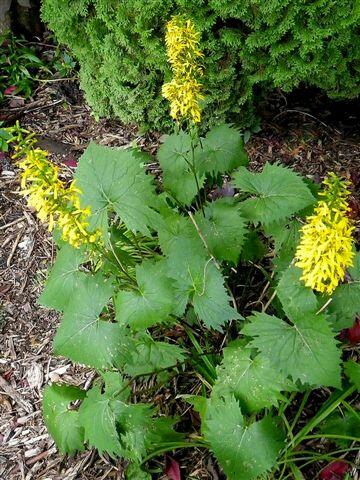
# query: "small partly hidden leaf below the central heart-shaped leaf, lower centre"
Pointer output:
{"type": "Point", "coordinates": [151, 356]}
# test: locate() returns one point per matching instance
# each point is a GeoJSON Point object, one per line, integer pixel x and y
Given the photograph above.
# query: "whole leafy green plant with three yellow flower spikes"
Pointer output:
{"type": "Point", "coordinates": [152, 279]}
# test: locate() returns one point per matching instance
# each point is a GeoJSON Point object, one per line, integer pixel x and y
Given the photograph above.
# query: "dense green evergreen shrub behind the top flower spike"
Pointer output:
{"type": "Point", "coordinates": [249, 46]}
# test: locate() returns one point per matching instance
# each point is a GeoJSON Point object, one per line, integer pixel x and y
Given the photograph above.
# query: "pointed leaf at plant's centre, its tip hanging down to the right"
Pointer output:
{"type": "Point", "coordinates": [197, 279]}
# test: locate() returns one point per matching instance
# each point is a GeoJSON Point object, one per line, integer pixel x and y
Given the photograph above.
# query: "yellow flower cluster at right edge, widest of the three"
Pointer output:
{"type": "Point", "coordinates": [325, 249]}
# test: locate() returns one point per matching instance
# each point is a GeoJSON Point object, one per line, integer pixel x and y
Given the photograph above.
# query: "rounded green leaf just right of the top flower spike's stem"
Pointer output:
{"type": "Point", "coordinates": [223, 150]}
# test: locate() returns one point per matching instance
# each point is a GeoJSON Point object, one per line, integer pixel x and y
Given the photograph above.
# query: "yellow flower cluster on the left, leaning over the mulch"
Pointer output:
{"type": "Point", "coordinates": [48, 195]}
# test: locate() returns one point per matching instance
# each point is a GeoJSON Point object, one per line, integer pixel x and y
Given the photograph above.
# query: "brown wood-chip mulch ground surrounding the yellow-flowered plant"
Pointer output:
{"type": "Point", "coordinates": [304, 131]}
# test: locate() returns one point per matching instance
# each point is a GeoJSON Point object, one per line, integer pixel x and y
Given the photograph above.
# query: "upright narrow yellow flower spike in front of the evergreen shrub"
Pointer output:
{"type": "Point", "coordinates": [184, 91]}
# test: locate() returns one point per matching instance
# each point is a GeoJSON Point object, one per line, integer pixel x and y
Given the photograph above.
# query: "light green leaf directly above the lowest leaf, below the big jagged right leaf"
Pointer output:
{"type": "Point", "coordinates": [252, 379]}
